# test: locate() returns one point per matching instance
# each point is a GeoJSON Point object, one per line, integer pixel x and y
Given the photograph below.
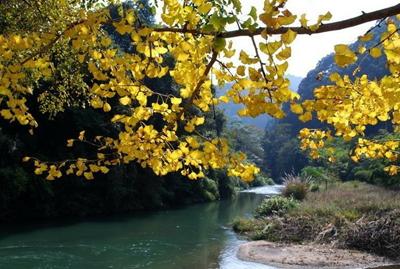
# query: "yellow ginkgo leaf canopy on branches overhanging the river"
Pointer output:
{"type": "Point", "coordinates": [192, 33]}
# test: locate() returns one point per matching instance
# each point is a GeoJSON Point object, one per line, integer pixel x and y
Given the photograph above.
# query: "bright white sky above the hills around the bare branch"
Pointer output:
{"type": "Point", "coordinates": [308, 50]}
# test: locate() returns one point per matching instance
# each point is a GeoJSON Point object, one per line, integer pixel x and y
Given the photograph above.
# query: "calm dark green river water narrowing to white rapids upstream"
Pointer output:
{"type": "Point", "coordinates": [194, 237]}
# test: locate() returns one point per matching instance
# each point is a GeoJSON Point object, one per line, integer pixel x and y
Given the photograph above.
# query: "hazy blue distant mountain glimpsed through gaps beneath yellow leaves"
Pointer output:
{"type": "Point", "coordinates": [261, 121]}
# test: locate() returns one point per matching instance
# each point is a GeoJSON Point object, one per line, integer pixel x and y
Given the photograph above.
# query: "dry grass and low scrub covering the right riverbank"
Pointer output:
{"type": "Point", "coordinates": [352, 215]}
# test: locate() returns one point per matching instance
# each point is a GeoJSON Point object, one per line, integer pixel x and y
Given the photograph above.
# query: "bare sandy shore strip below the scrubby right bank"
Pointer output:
{"type": "Point", "coordinates": [308, 256]}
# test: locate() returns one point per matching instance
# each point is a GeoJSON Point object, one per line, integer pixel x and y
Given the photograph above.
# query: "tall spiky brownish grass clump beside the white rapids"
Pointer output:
{"type": "Point", "coordinates": [295, 186]}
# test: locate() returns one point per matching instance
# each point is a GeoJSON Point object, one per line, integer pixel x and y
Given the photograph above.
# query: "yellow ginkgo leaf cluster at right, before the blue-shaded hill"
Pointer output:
{"type": "Point", "coordinates": [350, 105]}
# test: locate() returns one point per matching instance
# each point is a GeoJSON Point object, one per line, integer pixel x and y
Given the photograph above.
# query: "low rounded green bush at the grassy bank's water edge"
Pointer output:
{"type": "Point", "coordinates": [276, 205]}
